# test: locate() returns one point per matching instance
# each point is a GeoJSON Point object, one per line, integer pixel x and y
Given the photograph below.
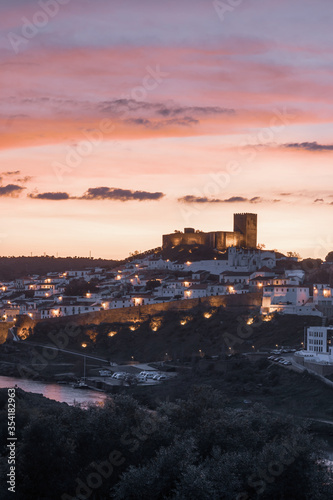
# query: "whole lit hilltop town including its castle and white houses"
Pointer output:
{"type": "Point", "coordinates": [222, 264]}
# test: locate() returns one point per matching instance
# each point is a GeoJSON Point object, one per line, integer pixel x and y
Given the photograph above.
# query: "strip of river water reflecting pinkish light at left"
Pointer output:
{"type": "Point", "coordinates": [61, 393]}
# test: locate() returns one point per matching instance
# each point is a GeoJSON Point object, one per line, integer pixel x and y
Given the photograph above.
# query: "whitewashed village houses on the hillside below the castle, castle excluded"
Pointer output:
{"type": "Point", "coordinates": [152, 280]}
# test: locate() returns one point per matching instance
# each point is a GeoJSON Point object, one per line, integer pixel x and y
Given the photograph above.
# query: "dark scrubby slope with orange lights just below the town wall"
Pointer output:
{"type": "Point", "coordinates": [181, 334]}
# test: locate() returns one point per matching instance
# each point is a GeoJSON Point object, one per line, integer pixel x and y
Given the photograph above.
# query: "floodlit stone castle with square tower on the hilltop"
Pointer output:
{"type": "Point", "coordinates": [244, 235]}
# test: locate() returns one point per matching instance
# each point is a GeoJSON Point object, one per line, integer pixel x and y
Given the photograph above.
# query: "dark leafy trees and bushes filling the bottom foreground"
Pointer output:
{"type": "Point", "coordinates": [192, 448]}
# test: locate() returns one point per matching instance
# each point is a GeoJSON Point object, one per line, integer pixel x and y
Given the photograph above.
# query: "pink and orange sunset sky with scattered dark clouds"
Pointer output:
{"type": "Point", "coordinates": [122, 120]}
